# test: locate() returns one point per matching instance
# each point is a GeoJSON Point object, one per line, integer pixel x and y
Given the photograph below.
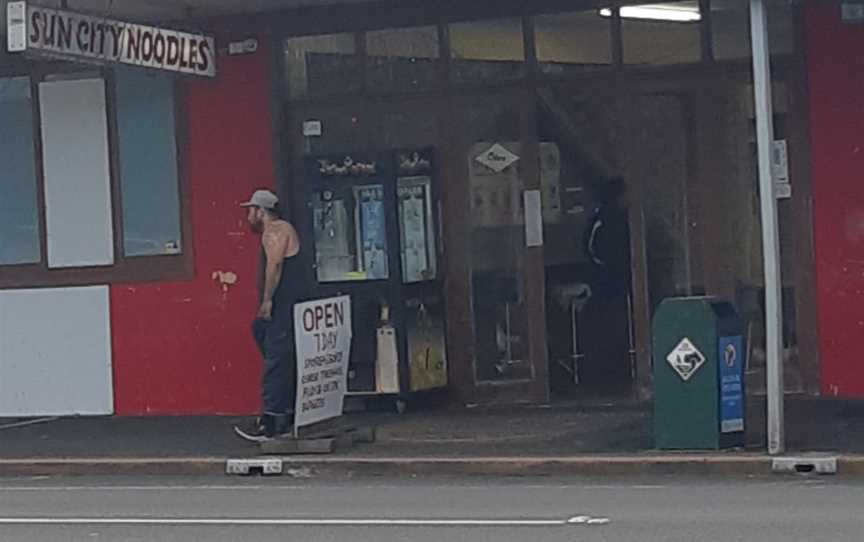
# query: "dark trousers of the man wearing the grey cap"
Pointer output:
{"type": "Point", "coordinates": [275, 339]}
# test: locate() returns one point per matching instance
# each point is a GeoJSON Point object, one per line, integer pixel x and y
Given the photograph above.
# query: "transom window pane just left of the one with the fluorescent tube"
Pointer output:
{"type": "Point", "coordinates": [573, 42]}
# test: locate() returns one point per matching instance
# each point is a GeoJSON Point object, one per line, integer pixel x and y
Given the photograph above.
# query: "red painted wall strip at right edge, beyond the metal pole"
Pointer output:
{"type": "Point", "coordinates": [836, 78]}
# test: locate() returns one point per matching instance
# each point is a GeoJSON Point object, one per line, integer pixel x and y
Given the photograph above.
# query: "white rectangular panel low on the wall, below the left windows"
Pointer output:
{"type": "Point", "coordinates": [55, 352]}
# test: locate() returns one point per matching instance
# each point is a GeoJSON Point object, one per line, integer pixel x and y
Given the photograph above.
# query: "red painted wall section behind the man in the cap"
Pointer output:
{"type": "Point", "coordinates": [185, 348]}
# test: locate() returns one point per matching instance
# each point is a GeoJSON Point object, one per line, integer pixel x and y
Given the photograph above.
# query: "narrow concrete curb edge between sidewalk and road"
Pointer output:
{"type": "Point", "coordinates": [683, 465]}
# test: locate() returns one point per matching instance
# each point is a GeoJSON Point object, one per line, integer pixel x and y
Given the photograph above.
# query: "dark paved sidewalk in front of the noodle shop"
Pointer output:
{"type": "Point", "coordinates": [505, 439]}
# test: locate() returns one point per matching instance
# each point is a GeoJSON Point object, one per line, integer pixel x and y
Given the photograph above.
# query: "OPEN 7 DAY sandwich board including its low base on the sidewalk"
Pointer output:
{"type": "Point", "coordinates": [322, 334]}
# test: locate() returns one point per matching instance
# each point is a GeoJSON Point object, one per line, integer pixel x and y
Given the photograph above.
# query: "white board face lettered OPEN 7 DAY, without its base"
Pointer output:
{"type": "Point", "coordinates": [322, 331]}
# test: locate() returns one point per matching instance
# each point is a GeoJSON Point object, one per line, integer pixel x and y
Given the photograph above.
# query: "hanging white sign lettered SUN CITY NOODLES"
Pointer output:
{"type": "Point", "coordinates": [73, 36]}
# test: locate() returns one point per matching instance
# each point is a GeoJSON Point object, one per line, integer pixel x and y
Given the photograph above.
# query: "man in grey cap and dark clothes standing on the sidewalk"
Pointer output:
{"type": "Point", "coordinates": [280, 278]}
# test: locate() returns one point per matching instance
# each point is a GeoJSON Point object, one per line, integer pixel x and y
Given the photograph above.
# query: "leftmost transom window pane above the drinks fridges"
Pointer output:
{"type": "Point", "coordinates": [321, 65]}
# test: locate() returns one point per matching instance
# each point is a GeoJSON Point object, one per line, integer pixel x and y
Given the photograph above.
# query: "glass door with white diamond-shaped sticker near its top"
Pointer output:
{"type": "Point", "coordinates": [495, 171]}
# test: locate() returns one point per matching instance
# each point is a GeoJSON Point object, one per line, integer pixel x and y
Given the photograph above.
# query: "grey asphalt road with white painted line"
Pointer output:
{"type": "Point", "coordinates": [474, 509]}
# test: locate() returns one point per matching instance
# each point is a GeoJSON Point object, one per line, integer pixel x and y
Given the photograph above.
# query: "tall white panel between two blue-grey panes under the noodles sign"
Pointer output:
{"type": "Point", "coordinates": [77, 174]}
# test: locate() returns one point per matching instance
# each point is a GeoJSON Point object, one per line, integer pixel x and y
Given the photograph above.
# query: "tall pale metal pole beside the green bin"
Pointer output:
{"type": "Point", "coordinates": [770, 239]}
